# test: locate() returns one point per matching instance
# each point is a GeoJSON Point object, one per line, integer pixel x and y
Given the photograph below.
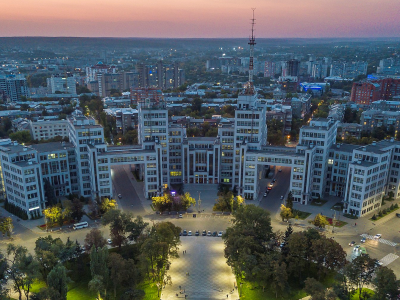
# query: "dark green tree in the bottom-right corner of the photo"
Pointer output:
{"type": "Point", "coordinates": [386, 284]}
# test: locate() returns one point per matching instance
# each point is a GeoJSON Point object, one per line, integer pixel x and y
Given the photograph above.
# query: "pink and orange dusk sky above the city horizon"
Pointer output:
{"type": "Point", "coordinates": [200, 18]}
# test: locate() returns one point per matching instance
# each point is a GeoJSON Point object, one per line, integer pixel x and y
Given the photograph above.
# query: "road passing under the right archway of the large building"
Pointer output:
{"type": "Point", "coordinates": [273, 200]}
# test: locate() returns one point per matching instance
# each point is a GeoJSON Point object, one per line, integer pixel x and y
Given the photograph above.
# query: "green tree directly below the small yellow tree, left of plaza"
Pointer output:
{"type": "Point", "coordinates": [118, 222]}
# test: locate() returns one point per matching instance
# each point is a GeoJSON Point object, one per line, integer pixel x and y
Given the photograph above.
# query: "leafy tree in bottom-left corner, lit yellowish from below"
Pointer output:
{"type": "Point", "coordinates": [23, 269]}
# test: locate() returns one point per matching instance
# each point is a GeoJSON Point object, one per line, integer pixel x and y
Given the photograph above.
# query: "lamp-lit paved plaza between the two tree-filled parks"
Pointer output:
{"type": "Point", "coordinates": [208, 278]}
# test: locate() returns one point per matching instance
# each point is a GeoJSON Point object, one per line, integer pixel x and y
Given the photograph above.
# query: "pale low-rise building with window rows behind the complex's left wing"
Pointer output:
{"type": "Point", "coordinates": [44, 130]}
